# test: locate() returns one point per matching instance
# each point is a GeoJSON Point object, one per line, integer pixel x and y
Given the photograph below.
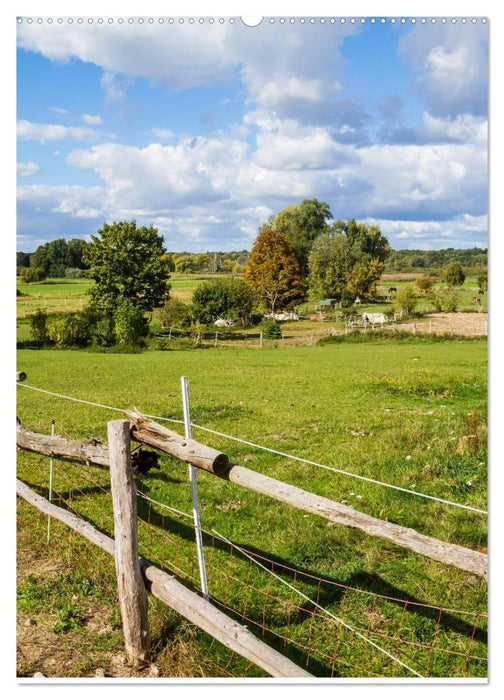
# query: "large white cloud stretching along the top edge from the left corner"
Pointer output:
{"type": "Point", "coordinates": [293, 71]}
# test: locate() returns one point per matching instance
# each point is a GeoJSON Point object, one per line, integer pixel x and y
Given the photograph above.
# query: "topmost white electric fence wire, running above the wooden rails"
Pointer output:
{"type": "Point", "coordinates": [272, 451]}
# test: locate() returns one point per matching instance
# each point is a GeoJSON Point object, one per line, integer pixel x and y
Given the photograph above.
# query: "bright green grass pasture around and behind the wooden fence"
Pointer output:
{"type": "Point", "coordinates": [407, 413]}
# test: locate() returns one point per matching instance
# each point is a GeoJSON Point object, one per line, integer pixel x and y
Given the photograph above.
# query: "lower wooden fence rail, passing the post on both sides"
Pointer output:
{"type": "Point", "coordinates": [165, 587]}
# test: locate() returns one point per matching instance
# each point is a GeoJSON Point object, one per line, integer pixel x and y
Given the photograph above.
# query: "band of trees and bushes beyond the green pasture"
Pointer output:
{"type": "Point", "coordinates": [299, 254]}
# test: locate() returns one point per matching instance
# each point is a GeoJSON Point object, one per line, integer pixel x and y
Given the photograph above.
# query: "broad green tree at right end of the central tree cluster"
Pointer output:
{"type": "Point", "coordinates": [349, 257]}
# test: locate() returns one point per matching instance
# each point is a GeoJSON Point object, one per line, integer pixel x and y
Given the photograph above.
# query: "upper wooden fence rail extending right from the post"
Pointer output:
{"type": "Point", "coordinates": [143, 431]}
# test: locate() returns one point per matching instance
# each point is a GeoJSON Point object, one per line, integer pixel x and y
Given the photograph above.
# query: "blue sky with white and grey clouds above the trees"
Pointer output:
{"type": "Point", "coordinates": [205, 130]}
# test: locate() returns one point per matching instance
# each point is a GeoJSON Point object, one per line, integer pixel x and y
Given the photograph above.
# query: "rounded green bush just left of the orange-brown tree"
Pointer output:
{"type": "Point", "coordinates": [228, 298]}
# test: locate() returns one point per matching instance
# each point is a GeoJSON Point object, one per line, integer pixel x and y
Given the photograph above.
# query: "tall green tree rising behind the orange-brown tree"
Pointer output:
{"type": "Point", "coordinates": [303, 224]}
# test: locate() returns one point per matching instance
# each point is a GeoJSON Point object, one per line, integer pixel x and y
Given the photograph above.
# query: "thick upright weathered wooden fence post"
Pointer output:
{"type": "Point", "coordinates": [131, 588]}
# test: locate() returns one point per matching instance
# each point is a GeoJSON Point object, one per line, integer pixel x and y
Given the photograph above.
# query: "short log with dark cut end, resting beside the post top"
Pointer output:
{"type": "Point", "coordinates": [188, 450]}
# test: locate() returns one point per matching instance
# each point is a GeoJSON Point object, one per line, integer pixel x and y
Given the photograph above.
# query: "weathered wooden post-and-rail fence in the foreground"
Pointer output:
{"type": "Point", "coordinates": [136, 575]}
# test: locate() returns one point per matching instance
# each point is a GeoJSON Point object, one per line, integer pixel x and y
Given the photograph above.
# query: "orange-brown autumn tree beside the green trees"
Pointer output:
{"type": "Point", "coordinates": [273, 271]}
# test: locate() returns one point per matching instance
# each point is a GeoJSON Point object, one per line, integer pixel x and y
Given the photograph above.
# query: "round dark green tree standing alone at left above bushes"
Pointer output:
{"type": "Point", "coordinates": [128, 263]}
